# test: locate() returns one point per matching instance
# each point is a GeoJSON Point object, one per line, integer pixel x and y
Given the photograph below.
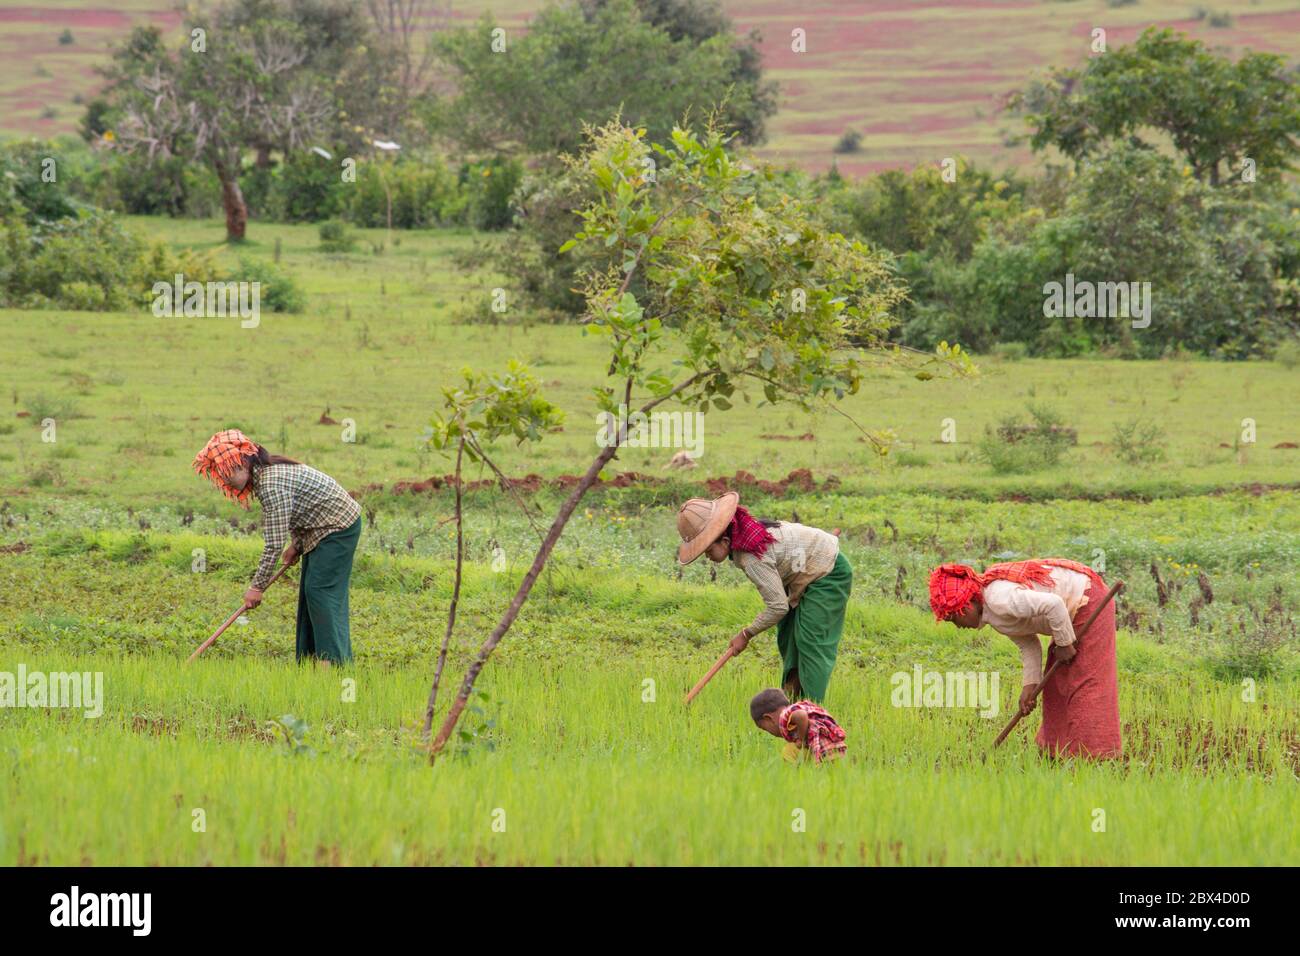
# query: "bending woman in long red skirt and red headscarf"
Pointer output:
{"type": "Point", "coordinates": [1054, 596]}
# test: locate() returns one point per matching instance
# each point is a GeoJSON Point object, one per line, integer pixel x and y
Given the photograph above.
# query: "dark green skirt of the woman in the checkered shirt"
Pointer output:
{"type": "Point", "coordinates": [323, 612]}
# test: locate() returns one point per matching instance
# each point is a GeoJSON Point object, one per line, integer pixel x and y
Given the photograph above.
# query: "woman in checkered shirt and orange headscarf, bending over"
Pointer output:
{"type": "Point", "coordinates": [309, 516]}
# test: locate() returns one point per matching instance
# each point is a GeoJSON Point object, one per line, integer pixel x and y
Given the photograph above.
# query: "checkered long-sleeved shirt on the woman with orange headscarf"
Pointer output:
{"type": "Point", "coordinates": [302, 503]}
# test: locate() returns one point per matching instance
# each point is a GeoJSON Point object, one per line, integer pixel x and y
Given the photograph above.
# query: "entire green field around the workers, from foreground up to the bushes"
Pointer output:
{"type": "Point", "coordinates": [574, 752]}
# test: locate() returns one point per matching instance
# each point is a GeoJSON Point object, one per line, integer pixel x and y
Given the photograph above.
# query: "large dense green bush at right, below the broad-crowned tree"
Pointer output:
{"type": "Point", "coordinates": [1216, 267]}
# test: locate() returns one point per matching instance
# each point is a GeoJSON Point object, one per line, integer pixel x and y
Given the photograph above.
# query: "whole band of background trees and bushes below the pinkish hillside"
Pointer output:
{"type": "Point", "coordinates": [1160, 163]}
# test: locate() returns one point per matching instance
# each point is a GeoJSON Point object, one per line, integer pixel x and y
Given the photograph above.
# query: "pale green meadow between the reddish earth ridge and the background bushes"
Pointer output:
{"type": "Point", "coordinates": [137, 396]}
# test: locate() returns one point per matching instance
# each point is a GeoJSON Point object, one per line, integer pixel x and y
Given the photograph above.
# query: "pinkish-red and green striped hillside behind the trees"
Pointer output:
{"type": "Point", "coordinates": [921, 80]}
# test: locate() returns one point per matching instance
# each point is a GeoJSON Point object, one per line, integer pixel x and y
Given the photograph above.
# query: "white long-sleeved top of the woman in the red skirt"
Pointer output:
{"type": "Point", "coordinates": [1024, 612]}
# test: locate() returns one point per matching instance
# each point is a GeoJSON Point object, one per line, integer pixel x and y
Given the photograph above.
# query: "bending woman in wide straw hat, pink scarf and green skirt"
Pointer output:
{"type": "Point", "coordinates": [799, 572]}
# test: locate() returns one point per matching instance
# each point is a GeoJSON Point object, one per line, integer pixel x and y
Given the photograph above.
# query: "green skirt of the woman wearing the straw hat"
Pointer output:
{"type": "Point", "coordinates": [809, 637]}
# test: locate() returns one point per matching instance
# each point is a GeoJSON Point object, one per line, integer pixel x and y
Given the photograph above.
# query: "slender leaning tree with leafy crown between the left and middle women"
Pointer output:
{"type": "Point", "coordinates": [764, 304]}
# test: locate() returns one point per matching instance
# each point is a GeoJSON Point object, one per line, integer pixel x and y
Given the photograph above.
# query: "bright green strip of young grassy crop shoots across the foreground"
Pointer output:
{"type": "Point", "coordinates": [586, 771]}
